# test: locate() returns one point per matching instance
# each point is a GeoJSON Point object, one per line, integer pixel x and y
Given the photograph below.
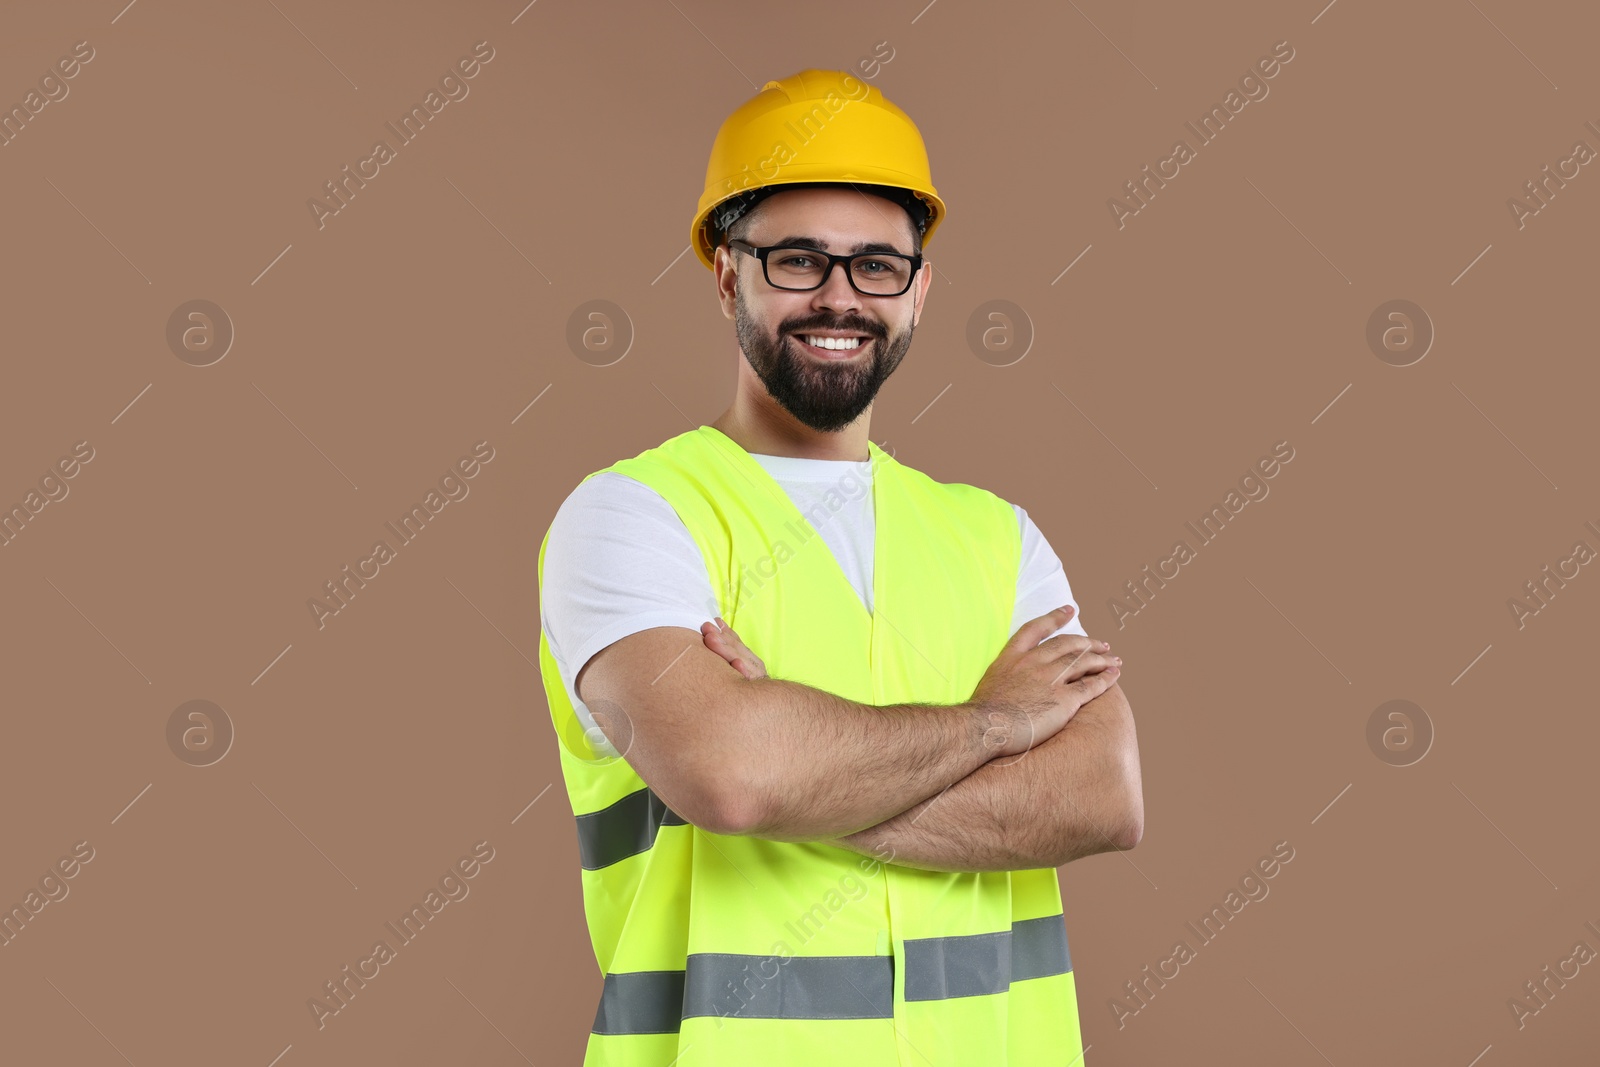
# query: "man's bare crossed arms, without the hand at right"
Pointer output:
{"type": "Point", "coordinates": [926, 786]}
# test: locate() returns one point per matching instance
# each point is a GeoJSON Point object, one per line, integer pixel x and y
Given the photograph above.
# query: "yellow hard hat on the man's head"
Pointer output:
{"type": "Point", "coordinates": [810, 129]}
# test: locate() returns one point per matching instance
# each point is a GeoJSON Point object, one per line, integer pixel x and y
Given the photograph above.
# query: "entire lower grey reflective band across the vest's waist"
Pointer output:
{"type": "Point", "coordinates": [831, 988]}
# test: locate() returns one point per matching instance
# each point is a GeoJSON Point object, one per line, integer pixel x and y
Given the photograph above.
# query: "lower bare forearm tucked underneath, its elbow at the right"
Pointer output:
{"type": "Point", "coordinates": [1074, 796]}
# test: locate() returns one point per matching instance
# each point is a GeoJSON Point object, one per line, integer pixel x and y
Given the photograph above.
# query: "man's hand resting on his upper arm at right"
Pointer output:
{"type": "Point", "coordinates": [1034, 687]}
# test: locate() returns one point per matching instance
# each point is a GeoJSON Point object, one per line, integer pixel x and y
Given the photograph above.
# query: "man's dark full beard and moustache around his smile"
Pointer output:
{"type": "Point", "coordinates": [823, 396]}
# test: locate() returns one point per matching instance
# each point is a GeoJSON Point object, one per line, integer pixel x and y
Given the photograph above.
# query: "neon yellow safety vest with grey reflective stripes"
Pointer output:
{"type": "Point", "coordinates": [729, 949]}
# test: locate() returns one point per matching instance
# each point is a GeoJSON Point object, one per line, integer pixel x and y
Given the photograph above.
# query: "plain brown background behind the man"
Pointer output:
{"type": "Point", "coordinates": [372, 353]}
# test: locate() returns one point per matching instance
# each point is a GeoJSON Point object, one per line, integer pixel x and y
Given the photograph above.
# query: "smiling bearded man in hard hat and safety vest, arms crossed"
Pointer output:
{"type": "Point", "coordinates": [828, 725]}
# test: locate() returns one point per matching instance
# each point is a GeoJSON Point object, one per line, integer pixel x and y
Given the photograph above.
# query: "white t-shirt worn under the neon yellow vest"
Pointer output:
{"type": "Point", "coordinates": [620, 561]}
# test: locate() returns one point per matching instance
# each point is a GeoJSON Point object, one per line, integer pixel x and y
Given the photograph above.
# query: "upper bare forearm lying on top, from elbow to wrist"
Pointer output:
{"type": "Point", "coordinates": [817, 767]}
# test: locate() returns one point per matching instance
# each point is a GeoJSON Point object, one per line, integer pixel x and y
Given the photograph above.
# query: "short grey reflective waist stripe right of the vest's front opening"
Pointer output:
{"type": "Point", "coordinates": [972, 965]}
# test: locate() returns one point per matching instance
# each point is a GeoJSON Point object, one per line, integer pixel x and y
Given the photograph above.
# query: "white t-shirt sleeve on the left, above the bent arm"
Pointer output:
{"type": "Point", "coordinates": [618, 561]}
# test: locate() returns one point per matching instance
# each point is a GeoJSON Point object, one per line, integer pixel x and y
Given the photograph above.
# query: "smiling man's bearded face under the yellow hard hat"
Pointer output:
{"type": "Point", "coordinates": [826, 391]}
